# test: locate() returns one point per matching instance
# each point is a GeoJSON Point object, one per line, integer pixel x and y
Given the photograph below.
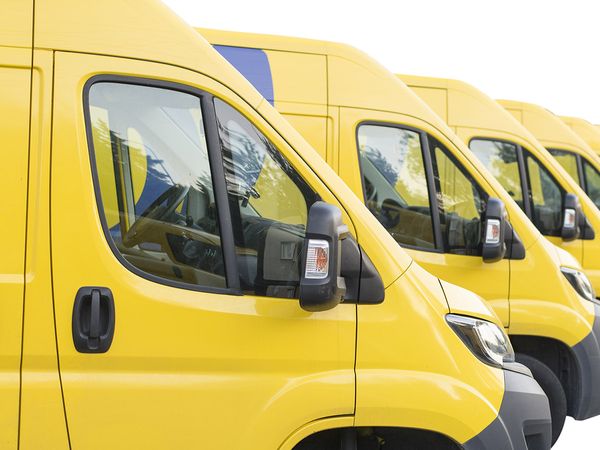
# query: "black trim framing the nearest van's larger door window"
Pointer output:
{"type": "Point", "coordinates": [217, 174]}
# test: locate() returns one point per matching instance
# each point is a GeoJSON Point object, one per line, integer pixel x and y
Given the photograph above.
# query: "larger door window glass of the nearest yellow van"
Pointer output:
{"type": "Point", "coordinates": [155, 182]}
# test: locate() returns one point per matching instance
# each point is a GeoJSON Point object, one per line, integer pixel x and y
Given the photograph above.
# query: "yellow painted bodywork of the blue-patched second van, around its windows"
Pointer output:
{"type": "Point", "coordinates": [360, 90]}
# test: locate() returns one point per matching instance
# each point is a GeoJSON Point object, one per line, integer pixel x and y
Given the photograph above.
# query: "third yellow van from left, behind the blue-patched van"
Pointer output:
{"type": "Point", "coordinates": [552, 198]}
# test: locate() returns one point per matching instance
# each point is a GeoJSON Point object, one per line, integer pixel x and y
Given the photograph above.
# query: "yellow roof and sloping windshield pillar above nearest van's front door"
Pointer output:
{"type": "Point", "coordinates": [147, 30]}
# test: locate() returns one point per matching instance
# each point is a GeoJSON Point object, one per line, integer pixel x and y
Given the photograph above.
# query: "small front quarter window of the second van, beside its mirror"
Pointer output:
{"type": "Point", "coordinates": [461, 203]}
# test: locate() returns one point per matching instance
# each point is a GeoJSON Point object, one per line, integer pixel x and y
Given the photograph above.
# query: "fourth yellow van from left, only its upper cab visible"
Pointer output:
{"type": "Point", "coordinates": [571, 151]}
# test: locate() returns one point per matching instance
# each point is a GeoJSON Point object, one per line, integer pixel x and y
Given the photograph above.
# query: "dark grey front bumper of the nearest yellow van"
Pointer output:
{"type": "Point", "coordinates": [524, 421]}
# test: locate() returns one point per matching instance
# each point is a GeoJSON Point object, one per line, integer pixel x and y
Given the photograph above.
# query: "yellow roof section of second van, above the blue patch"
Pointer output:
{"type": "Point", "coordinates": [348, 67]}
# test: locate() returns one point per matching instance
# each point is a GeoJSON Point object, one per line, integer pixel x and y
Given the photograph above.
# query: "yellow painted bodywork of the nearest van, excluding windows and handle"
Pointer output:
{"type": "Point", "coordinates": [181, 360]}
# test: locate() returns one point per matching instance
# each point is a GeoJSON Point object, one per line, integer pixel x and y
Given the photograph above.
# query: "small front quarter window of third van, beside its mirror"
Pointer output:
{"type": "Point", "coordinates": [546, 197]}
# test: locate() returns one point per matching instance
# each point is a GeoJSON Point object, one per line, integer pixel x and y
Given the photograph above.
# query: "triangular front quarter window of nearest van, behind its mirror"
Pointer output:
{"type": "Point", "coordinates": [269, 204]}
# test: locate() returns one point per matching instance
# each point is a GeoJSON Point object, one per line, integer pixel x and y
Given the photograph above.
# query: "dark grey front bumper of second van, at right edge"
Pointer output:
{"type": "Point", "coordinates": [587, 357]}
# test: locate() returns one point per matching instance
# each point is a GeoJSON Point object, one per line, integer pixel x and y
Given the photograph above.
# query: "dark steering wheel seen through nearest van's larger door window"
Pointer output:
{"type": "Point", "coordinates": [172, 196]}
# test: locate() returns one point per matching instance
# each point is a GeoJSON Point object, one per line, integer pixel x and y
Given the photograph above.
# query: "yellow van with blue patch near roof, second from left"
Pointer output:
{"type": "Point", "coordinates": [435, 199]}
